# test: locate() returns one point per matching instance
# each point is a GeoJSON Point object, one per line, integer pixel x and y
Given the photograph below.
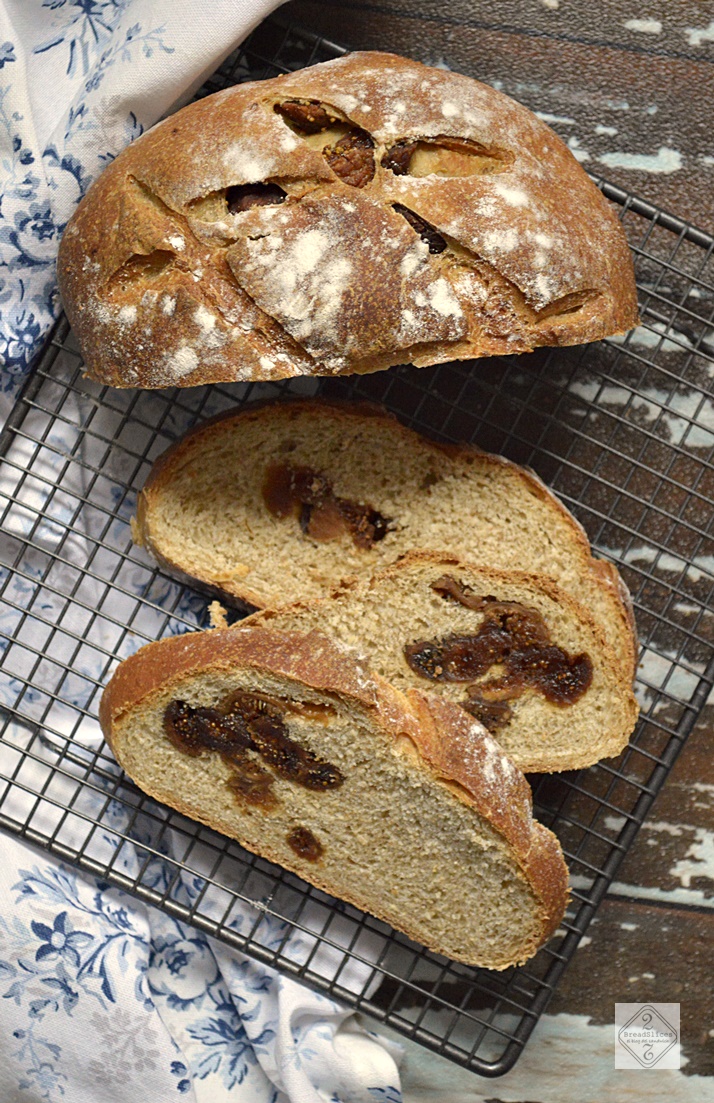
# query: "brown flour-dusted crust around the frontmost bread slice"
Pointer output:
{"type": "Point", "coordinates": [451, 748]}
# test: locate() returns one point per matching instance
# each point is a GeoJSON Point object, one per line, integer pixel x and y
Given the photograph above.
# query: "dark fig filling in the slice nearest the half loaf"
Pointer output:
{"type": "Point", "coordinates": [301, 492]}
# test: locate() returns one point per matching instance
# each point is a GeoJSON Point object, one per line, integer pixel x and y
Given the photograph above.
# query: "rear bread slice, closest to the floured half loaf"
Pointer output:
{"type": "Point", "coordinates": [204, 510]}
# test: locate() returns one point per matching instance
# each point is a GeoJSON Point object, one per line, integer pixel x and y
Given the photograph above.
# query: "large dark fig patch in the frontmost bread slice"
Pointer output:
{"type": "Point", "coordinates": [244, 723]}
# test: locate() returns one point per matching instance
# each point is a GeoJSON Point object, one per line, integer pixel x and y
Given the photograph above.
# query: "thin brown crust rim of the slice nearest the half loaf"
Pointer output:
{"type": "Point", "coordinates": [190, 449]}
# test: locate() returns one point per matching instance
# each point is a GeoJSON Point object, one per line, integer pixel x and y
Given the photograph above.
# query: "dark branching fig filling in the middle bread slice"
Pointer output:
{"type": "Point", "coordinates": [514, 638]}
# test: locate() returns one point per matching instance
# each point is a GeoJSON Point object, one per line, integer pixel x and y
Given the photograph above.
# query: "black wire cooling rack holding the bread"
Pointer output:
{"type": "Point", "coordinates": [623, 431]}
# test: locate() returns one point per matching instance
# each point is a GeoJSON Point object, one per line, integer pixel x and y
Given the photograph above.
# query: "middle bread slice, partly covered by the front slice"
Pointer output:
{"type": "Point", "coordinates": [585, 709]}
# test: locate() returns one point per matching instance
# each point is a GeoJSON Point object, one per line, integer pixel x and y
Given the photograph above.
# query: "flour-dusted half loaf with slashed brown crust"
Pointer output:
{"type": "Point", "coordinates": [365, 212]}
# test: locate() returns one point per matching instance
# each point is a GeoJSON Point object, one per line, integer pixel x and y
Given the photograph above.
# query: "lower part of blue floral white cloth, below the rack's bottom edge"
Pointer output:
{"type": "Point", "coordinates": [91, 980]}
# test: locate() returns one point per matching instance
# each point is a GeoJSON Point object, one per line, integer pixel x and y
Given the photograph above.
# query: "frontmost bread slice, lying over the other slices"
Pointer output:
{"type": "Point", "coordinates": [417, 816]}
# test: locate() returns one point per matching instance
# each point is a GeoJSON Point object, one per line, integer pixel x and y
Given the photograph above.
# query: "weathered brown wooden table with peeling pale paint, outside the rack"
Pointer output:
{"type": "Point", "coordinates": [631, 89]}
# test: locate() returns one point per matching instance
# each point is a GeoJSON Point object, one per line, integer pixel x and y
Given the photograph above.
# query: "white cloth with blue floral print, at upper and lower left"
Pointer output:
{"type": "Point", "coordinates": [103, 998]}
